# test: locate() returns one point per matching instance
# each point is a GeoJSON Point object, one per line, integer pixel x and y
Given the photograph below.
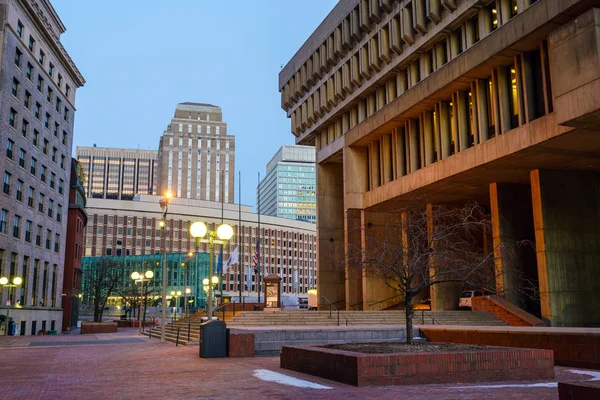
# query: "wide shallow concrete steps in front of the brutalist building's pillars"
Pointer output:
{"type": "Point", "coordinates": [361, 318]}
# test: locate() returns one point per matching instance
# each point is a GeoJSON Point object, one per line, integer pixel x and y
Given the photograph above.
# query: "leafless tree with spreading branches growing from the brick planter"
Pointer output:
{"type": "Point", "coordinates": [421, 247]}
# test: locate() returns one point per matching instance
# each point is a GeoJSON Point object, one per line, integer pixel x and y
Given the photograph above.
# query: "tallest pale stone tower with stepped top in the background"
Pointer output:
{"type": "Point", "coordinates": [196, 155]}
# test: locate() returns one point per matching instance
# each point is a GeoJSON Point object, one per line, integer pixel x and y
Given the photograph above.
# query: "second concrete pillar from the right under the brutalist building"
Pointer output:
{"type": "Point", "coordinates": [515, 264]}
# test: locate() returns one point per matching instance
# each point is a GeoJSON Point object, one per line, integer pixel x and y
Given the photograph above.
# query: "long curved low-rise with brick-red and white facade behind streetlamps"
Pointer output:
{"type": "Point", "coordinates": [131, 228]}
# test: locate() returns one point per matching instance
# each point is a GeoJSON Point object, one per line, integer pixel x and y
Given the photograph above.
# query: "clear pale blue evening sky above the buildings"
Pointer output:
{"type": "Point", "coordinates": [142, 57]}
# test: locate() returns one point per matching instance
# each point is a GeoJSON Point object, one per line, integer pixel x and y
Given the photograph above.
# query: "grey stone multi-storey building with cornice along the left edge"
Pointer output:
{"type": "Point", "coordinates": [37, 106]}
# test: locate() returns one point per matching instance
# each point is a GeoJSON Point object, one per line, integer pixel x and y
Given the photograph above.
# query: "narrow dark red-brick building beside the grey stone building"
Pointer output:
{"type": "Point", "coordinates": [76, 222]}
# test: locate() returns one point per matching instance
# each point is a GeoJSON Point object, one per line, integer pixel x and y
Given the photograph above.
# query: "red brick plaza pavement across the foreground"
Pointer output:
{"type": "Point", "coordinates": [153, 370]}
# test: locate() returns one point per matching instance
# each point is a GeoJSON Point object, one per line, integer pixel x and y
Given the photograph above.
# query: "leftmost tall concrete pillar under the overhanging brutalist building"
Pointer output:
{"type": "Point", "coordinates": [330, 233]}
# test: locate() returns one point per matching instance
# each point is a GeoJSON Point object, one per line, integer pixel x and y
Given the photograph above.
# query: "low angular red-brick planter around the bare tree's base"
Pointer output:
{"type": "Point", "coordinates": [359, 369]}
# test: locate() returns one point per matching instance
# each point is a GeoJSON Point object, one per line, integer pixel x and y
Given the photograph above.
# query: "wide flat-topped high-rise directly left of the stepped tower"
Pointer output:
{"type": "Point", "coordinates": [114, 173]}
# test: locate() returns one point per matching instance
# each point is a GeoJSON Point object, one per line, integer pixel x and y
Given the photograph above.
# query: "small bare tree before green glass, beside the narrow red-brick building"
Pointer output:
{"type": "Point", "coordinates": [102, 280]}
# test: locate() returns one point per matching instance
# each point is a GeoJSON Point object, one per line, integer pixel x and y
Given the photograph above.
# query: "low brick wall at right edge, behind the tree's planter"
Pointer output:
{"type": "Point", "coordinates": [570, 349]}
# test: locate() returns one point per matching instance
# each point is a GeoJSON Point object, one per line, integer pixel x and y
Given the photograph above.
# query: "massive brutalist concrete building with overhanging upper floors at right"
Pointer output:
{"type": "Point", "coordinates": [445, 102]}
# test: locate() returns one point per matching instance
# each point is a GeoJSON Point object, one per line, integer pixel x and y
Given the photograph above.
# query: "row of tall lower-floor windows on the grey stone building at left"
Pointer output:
{"type": "Point", "coordinates": [39, 282]}
